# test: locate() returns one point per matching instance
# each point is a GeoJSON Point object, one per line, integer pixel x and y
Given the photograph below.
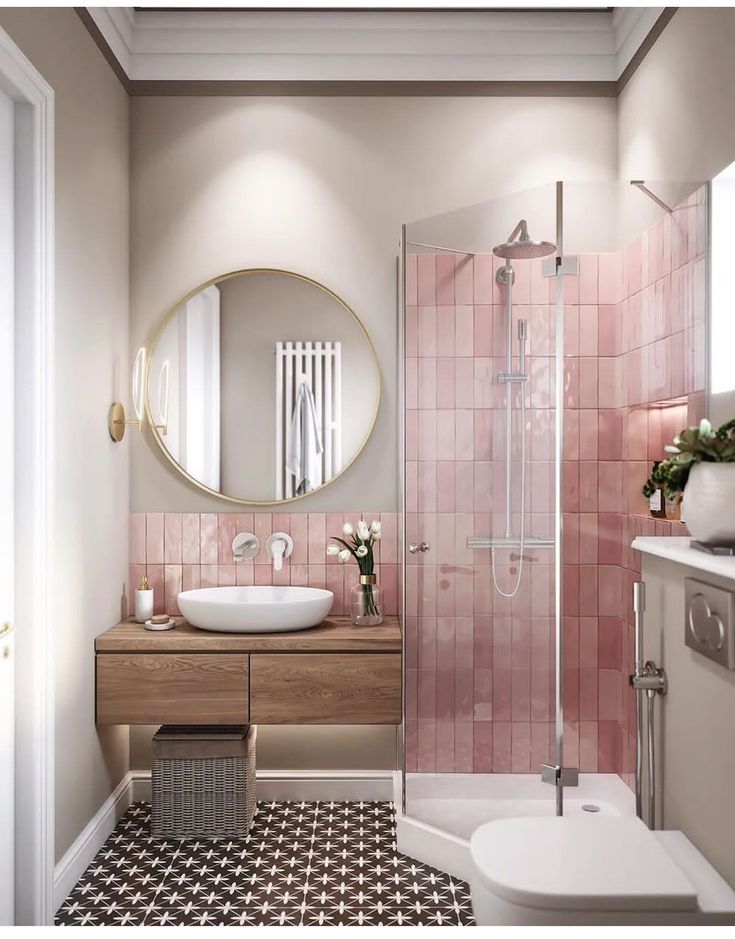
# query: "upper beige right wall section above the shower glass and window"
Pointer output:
{"type": "Point", "coordinates": [676, 113]}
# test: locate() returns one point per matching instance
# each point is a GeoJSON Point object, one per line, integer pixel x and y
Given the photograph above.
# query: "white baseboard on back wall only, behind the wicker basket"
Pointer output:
{"type": "Point", "coordinates": [303, 785]}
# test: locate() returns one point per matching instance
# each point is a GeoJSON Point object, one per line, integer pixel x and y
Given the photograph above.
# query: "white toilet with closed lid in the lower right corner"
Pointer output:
{"type": "Point", "coordinates": [592, 871]}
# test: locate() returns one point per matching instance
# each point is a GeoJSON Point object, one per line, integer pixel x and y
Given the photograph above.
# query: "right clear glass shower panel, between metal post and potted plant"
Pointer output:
{"type": "Point", "coordinates": [636, 326]}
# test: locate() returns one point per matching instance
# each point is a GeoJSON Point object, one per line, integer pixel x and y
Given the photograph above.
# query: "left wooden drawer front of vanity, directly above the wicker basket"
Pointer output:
{"type": "Point", "coordinates": [172, 689]}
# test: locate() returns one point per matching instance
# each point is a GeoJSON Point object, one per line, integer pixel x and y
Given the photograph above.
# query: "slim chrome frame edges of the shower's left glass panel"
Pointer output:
{"type": "Point", "coordinates": [558, 304]}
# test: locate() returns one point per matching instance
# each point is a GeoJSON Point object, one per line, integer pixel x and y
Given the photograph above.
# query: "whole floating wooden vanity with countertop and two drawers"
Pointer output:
{"type": "Point", "coordinates": [334, 673]}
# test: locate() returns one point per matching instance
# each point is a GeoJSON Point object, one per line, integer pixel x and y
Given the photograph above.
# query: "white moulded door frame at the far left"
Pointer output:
{"type": "Point", "coordinates": [34, 502]}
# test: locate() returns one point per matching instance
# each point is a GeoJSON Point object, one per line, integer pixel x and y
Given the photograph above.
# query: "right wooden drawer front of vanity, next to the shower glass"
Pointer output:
{"type": "Point", "coordinates": [311, 688]}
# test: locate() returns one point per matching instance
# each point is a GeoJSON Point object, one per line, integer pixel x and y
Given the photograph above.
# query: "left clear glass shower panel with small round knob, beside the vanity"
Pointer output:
{"type": "Point", "coordinates": [480, 512]}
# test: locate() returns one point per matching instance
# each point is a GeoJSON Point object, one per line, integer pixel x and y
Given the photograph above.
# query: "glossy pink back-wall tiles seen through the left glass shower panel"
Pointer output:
{"type": "Point", "coordinates": [480, 679]}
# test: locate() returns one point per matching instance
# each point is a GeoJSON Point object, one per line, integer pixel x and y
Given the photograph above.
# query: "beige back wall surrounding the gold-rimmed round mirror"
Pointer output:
{"type": "Point", "coordinates": [321, 186]}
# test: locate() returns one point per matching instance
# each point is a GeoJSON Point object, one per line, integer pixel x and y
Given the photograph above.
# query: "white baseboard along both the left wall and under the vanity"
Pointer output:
{"type": "Point", "coordinates": [273, 785]}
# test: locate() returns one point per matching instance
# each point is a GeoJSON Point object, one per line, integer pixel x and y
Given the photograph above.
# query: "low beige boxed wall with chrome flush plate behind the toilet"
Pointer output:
{"type": "Point", "coordinates": [696, 731]}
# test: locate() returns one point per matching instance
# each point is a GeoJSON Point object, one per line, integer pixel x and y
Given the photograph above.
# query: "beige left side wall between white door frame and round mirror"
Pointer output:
{"type": "Point", "coordinates": [92, 214]}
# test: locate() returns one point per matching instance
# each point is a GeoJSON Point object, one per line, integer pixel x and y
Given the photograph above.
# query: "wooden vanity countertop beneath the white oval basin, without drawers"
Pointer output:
{"type": "Point", "coordinates": [335, 634]}
